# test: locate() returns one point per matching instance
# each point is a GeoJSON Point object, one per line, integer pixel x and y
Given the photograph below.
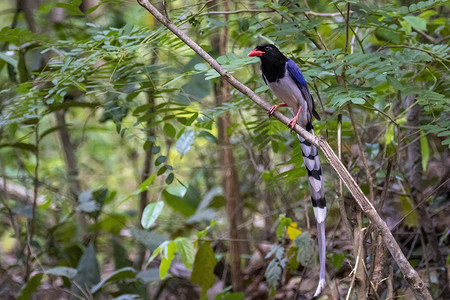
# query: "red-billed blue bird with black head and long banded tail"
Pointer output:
{"type": "Point", "coordinates": [286, 82]}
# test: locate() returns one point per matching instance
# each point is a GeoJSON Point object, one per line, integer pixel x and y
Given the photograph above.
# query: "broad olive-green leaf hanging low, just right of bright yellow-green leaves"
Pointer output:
{"type": "Point", "coordinates": [203, 271]}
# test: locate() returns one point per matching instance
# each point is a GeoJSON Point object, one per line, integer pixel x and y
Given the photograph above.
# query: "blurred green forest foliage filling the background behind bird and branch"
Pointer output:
{"type": "Point", "coordinates": [104, 111]}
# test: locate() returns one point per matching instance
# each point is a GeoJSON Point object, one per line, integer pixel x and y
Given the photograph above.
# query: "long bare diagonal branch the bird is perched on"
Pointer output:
{"type": "Point", "coordinates": [412, 277]}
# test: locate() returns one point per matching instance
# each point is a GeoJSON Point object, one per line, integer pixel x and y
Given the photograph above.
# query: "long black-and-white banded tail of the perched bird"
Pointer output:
{"type": "Point", "coordinates": [317, 190]}
